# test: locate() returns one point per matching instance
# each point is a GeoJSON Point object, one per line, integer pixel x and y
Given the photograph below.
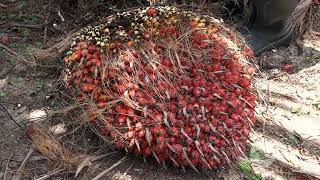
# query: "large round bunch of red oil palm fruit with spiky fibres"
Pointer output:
{"type": "Point", "coordinates": [166, 83]}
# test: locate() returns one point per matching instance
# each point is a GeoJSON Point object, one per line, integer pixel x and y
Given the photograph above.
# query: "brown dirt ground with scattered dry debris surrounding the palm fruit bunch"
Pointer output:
{"type": "Point", "coordinates": [284, 143]}
